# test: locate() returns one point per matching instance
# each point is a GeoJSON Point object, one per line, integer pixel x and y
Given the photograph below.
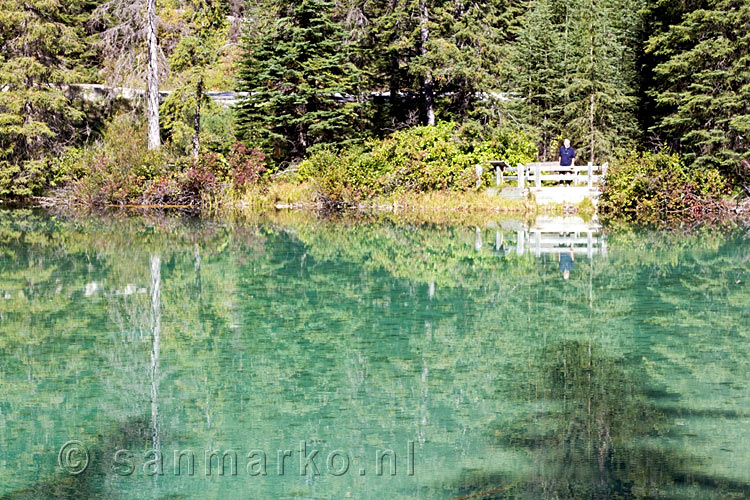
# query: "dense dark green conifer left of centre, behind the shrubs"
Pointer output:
{"type": "Point", "coordinates": [296, 69]}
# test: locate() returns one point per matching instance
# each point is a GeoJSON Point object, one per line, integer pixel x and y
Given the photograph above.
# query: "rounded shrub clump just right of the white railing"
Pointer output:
{"type": "Point", "coordinates": [657, 187]}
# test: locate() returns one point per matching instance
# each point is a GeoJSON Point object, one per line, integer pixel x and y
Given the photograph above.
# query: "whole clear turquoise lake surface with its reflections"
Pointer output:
{"type": "Point", "coordinates": [485, 372]}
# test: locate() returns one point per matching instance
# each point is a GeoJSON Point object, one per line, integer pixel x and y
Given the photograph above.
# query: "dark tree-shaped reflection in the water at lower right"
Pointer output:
{"type": "Point", "coordinates": [596, 437]}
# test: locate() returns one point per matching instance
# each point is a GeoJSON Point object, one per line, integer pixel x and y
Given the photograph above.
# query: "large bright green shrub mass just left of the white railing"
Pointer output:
{"type": "Point", "coordinates": [419, 159]}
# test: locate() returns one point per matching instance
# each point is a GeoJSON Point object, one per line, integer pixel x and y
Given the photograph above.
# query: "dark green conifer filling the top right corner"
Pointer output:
{"type": "Point", "coordinates": [702, 83]}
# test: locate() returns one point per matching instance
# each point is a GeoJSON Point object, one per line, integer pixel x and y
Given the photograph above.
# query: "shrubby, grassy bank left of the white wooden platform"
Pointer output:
{"type": "Point", "coordinates": [426, 170]}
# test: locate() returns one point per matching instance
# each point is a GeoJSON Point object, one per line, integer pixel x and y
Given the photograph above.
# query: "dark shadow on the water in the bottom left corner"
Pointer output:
{"type": "Point", "coordinates": [91, 484]}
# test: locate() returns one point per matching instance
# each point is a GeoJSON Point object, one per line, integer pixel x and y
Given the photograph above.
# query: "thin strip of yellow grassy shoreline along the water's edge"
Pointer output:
{"type": "Point", "coordinates": [433, 206]}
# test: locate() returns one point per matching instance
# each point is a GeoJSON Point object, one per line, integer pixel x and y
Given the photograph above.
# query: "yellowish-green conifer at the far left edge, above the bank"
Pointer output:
{"type": "Point", "coordinates": [41, 45]}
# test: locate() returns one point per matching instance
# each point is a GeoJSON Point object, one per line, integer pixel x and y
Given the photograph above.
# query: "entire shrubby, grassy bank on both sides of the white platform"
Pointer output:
{"type": "Point", "coordinates": [421, 174]}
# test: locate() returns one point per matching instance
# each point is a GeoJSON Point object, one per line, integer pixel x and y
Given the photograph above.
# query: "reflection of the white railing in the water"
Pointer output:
{"type": "Point", "coordinates": [547, 236]}
